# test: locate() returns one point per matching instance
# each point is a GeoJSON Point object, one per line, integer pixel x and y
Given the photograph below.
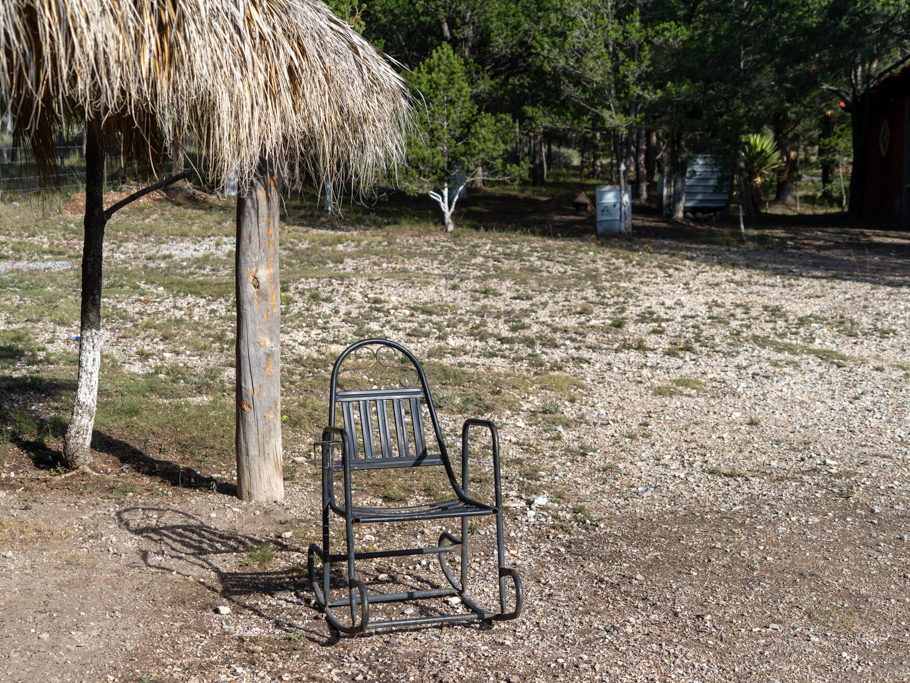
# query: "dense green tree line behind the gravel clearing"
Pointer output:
{"type": "Point", "coordinates": [647, 83]}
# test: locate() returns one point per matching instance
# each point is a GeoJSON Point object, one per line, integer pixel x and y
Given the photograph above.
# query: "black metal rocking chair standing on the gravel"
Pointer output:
{"type": "Point", "coordinates": [383, 427]}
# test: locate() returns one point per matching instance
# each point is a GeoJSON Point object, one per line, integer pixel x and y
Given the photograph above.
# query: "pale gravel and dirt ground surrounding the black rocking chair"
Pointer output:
{"type": "Point", "coordinates": [725, 499]}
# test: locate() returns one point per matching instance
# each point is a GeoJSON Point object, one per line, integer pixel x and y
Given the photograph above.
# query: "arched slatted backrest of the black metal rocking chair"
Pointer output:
{"type": "Point", "coordinates": [379, 394]}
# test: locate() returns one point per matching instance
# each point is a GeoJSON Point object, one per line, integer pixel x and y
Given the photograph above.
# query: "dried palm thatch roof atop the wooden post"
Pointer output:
{"type": "Point", "coordinates": [284, 81]}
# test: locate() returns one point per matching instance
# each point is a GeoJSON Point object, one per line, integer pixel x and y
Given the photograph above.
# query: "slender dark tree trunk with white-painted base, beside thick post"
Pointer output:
{"type": "Point", "coordinates": [77, 443]}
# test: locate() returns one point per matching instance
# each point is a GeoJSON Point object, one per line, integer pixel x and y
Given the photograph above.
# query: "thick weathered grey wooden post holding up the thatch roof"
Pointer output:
{"type": "Point", "coordinates": [258, 394]}
